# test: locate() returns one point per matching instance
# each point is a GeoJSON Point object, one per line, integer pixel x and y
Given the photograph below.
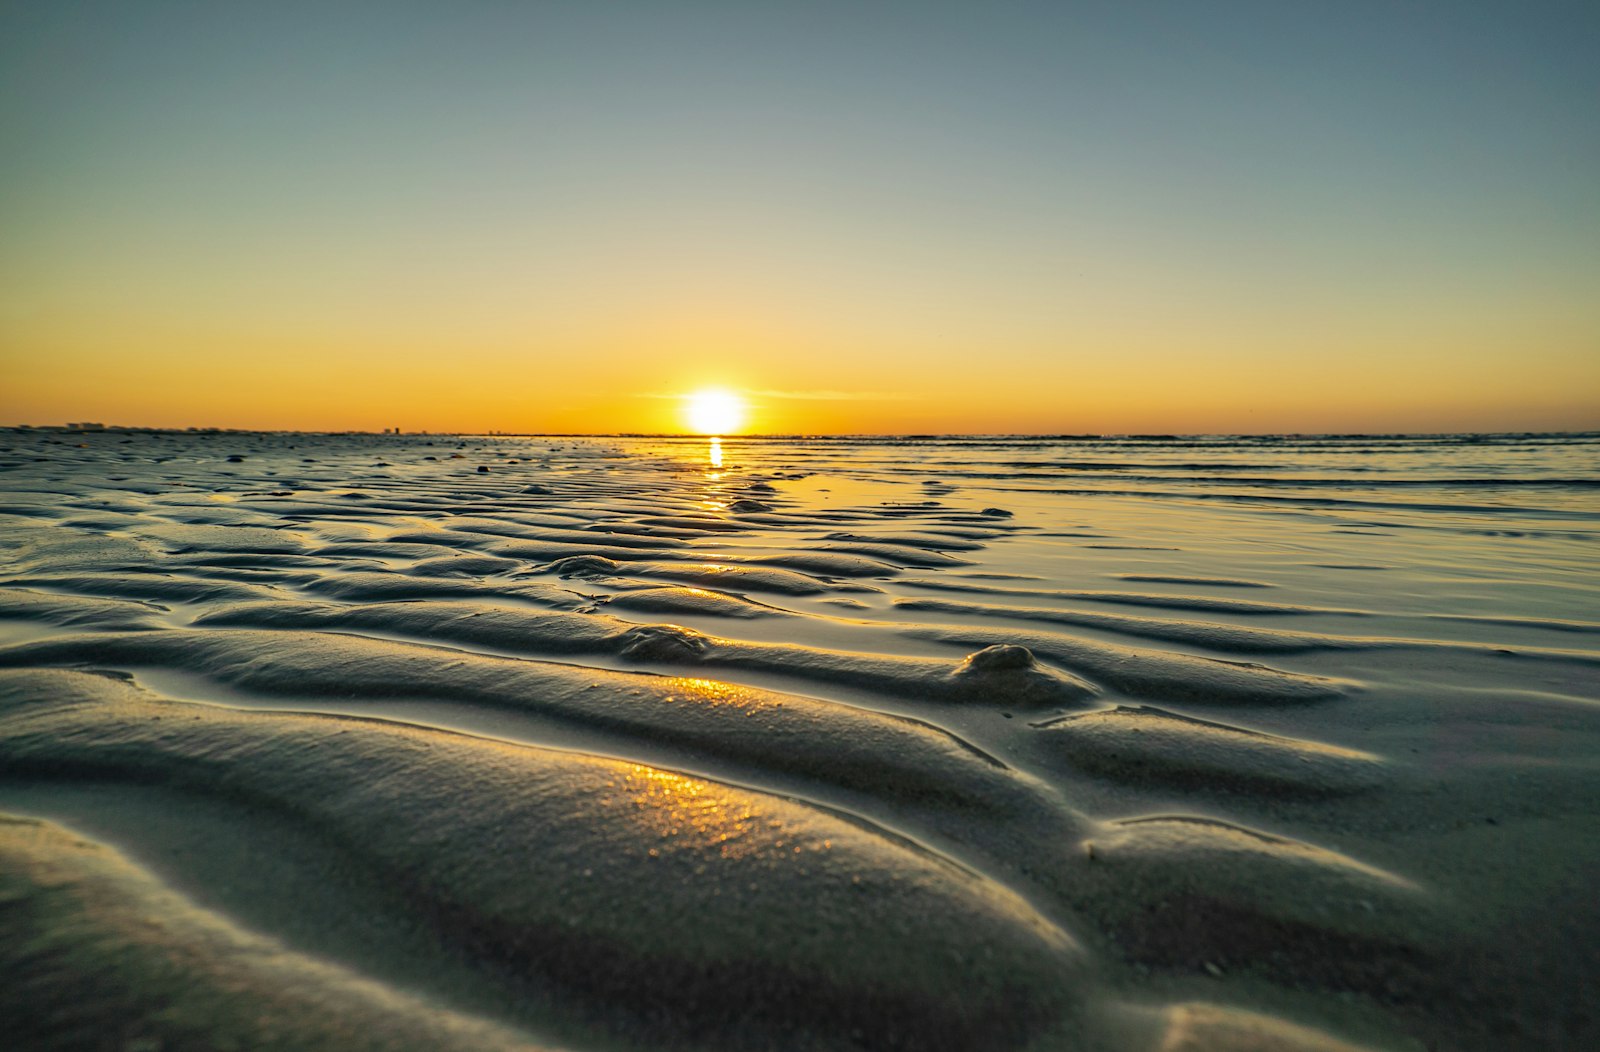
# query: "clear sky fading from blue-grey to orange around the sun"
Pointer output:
{"type": "Point", "coordinates": [1025, 218]}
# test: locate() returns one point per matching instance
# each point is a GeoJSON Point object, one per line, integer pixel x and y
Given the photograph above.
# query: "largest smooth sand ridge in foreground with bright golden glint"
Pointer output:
{"type": "Point", "coordinates": [596, 875]}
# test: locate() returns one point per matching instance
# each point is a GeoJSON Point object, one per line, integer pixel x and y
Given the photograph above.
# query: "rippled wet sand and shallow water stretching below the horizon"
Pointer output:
{"type": "Point", "coordinates": [430, 743]}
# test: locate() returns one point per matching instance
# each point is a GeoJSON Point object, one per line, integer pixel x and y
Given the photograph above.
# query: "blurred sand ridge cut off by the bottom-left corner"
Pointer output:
{"type": "Point", "coordinates": [100, 955]}
